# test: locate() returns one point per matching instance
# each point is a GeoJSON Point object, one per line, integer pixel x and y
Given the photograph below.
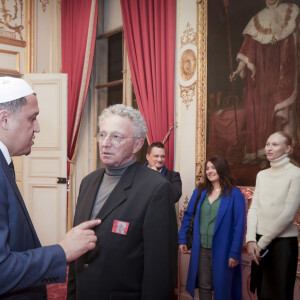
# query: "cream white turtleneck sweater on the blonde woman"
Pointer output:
{"type": "Point", "coordinates": [275, 203]}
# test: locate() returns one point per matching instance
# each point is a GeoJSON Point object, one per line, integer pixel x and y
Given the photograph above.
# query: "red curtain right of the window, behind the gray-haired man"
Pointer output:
{"type": "Point", "coordinates": [150, 31]}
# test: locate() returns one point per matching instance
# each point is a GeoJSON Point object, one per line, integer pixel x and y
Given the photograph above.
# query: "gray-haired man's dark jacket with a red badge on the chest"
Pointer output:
{"type": "Point", "coordinates": [140, 264]}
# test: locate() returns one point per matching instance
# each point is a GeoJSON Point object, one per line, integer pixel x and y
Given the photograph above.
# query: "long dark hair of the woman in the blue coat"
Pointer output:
{"type": "Point", "coordinates": [224, 172]}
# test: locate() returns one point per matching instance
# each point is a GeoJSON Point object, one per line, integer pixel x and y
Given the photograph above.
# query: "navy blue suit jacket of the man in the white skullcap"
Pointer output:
{"type": "Point", "coordinates": [25, 266]}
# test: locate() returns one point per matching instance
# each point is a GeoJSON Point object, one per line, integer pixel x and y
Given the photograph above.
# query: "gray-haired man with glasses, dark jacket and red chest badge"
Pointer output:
{"type": "Point", "coordinates": [137, 255]}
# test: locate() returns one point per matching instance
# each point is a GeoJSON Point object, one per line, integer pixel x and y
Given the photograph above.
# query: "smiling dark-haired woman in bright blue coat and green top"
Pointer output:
{"type": "Point", "coordinates": [218, 235]}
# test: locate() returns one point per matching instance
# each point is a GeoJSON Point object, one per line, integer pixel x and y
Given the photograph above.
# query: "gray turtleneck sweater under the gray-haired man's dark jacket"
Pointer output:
{"type": "Point", "coordinates": [111, 177]}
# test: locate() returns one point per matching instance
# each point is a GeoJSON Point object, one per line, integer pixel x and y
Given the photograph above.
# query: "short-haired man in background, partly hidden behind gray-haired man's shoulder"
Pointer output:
{"type": "Point", "coordinates": [156, 157]}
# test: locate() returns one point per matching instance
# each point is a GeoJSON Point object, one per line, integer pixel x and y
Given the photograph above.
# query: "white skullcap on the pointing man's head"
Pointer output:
{"type": "Point", "coordinates": [13, 88]}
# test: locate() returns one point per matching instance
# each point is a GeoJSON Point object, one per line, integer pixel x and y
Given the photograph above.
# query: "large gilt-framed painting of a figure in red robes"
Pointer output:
{"type": "Point", "coordinates": [248, 81]}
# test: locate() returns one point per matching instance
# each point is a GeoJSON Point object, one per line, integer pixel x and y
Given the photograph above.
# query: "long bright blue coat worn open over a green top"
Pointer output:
{"type": "Point", "coordinates": [227, 242]}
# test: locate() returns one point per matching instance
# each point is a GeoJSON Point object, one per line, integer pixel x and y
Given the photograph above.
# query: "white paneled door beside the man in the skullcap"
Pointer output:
{"type": "Point", "coordinates": [46, 200]}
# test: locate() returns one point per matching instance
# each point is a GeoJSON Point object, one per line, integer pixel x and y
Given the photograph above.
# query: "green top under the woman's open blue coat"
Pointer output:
{"type": "Point", "coordinates": [208, 216]}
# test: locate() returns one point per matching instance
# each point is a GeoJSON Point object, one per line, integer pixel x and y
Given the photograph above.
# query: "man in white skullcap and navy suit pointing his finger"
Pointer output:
{"type": "Point", "coordinates": [25, 266]}
